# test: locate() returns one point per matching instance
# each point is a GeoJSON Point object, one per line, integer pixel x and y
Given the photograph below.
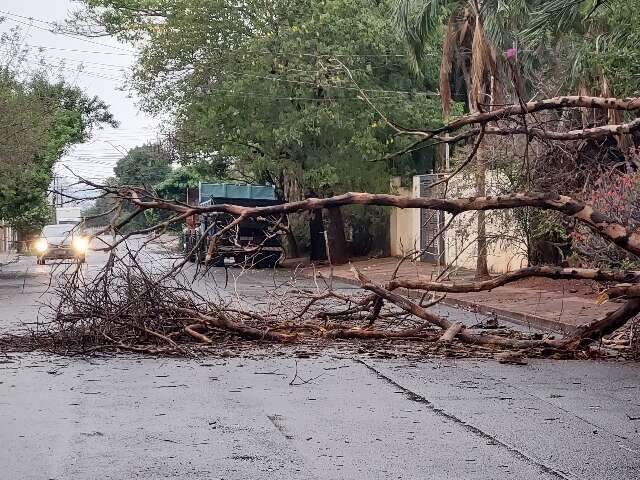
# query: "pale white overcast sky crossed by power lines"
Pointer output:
{"type": "Point", "coordinates": [102, 75]}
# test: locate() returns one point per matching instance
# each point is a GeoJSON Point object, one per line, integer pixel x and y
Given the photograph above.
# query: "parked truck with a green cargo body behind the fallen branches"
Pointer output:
{"type": "Point", "coordinates": [253, 243]}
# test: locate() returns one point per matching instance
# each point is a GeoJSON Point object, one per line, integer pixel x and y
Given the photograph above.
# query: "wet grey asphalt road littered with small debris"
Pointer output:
{"type": "Point", "coordinates": [345, 417]}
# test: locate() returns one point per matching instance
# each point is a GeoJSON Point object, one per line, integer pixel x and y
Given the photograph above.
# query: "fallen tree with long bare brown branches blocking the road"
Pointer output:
{"type": "Point", "coordinates": [126, 307]}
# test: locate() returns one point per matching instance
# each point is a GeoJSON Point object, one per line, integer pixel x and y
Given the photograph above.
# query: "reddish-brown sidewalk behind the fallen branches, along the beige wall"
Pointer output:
{"type": "Point", "coordinates": [559, 309]}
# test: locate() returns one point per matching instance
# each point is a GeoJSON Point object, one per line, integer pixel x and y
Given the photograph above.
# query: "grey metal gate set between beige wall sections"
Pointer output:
{"type": "Point", "coordinates": [431, 221]}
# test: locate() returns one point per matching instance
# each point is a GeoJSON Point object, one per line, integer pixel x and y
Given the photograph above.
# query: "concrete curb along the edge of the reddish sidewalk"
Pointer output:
{"type": "Point", "coordinates": [517, 318]}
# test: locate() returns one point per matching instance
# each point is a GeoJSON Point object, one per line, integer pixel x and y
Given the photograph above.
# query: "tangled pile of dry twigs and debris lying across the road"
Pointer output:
{"type": "Point", "coordinates": [130, 307]}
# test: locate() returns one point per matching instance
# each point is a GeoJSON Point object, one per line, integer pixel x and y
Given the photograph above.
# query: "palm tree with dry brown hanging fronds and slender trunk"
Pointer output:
{"type": "Point", "coordinates": [476, 34]}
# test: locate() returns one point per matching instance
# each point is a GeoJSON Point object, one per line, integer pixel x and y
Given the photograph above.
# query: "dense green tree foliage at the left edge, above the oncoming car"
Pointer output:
{"type": "Point", "coordinates": [40, 120]}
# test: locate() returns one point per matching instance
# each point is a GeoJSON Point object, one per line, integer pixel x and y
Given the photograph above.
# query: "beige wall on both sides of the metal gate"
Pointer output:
{"type": "Point", "coordinates": [459, 241]}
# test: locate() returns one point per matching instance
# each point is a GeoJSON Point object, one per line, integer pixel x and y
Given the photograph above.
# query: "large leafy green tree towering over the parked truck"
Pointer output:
{"type": "Point", "coordinates": [263, 86]}
